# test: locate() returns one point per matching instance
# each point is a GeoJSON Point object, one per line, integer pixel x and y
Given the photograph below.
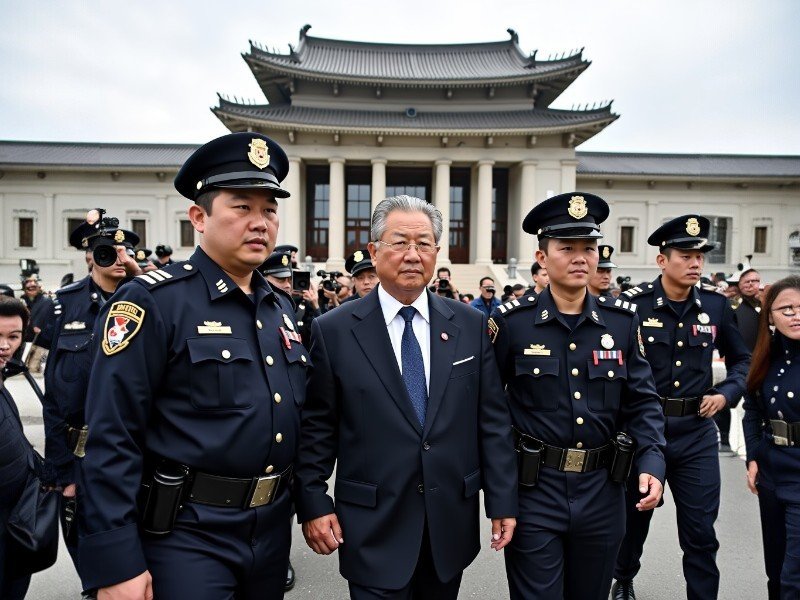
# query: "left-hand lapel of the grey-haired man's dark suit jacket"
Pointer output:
{"type": "Point", "coordinates": [371, 334]}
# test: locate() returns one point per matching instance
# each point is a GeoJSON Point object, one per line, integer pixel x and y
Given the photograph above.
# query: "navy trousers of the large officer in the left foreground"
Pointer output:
{"type": "Point", "coordinates": [222, 553]}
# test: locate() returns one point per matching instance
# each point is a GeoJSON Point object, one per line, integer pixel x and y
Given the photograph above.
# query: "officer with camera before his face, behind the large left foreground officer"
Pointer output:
{"type": "Point", "coordinates": [67, 371]}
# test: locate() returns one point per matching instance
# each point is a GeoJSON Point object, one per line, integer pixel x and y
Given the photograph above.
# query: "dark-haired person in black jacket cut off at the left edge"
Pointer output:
{"type": "Point", "coordinates": [13, 448]}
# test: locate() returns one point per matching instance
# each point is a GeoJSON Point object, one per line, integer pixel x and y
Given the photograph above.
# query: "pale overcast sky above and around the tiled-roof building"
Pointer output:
{"type": "Point", "coordinates": [685, 75]}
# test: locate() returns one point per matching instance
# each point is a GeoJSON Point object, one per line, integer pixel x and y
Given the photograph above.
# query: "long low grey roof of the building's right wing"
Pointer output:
{"type": "Point", "coordinates": [687, 165]}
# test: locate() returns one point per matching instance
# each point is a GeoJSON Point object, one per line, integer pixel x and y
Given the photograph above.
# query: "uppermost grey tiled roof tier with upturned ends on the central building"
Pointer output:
{"type": "Point", "coordinates": [491, 63]}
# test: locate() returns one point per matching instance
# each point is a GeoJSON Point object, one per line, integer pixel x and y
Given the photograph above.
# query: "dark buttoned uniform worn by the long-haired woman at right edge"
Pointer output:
{"type": "Point", "coordinates": [776, 450]}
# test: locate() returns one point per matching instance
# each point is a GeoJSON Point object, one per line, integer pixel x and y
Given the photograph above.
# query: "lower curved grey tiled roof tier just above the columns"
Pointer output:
{"type": "Point", "coordinates": [516, 122]}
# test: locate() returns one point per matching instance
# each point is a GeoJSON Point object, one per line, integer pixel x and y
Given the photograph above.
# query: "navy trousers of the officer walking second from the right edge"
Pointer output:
{"type": "Point", "coordinates": [694, 480]}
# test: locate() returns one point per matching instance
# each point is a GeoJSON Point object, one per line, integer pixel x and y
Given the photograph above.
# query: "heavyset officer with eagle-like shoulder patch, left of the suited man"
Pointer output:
{"type": "Point", "coordinates": [193, 407]}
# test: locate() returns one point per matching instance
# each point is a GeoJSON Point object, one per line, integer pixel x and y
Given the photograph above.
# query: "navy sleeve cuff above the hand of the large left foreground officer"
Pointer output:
{"type": "Point", "coordinates": [111, 557]}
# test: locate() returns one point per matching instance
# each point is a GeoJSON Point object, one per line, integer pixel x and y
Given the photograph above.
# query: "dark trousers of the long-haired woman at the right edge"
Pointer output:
{"type": "Point", "coordinates": [780, 531]}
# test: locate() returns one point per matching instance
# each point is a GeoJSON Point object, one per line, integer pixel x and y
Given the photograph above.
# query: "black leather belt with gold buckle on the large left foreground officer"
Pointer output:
{"type": "Point", "coordinates": [215, 490]}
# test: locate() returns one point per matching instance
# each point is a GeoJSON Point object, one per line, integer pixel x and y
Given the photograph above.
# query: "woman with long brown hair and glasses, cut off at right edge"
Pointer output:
{"type": "Point", "coordinates": [772, 434]}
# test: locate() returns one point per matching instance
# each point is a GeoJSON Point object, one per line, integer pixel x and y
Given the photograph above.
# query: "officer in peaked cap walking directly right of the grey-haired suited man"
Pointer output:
{"type": "Point", "coordinates": [581, 396]}
